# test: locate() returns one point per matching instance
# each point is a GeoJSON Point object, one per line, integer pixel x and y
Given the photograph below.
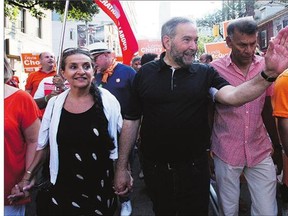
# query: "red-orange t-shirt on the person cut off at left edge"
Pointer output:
{"type": "Point", "coordinates": [20, 111]}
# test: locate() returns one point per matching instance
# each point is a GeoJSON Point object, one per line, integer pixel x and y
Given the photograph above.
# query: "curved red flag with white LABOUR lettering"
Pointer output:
{"type": "Point", "coordinates": [128, 43]}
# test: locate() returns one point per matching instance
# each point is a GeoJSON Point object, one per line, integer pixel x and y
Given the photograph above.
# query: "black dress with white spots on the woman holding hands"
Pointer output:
{"type": "Point", "coordinates": [84, 181]}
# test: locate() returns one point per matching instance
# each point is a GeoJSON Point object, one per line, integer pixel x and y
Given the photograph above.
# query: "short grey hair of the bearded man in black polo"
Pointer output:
{"type": "Point", "coordinates": [169, 27]}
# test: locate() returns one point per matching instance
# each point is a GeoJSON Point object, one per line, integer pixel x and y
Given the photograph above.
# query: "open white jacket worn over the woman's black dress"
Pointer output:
{"type": "Point", "coordinates": [50, 122]}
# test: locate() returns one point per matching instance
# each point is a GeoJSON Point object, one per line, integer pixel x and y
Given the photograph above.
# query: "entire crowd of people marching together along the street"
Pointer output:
{"type": "Point", "coordinates": [78, 128]}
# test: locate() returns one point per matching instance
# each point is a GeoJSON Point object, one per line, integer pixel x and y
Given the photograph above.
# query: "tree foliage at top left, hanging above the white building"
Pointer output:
{"type": "Point", "coordinates": [78, 10]}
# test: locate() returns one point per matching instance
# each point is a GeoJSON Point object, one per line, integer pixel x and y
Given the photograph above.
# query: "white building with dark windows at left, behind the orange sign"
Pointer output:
{"type": "Point", "coordinates": [26, 34]}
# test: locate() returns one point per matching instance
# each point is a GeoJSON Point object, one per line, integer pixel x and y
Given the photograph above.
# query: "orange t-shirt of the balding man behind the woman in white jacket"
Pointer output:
{"type": "Point", "coordinates": [35, 78]}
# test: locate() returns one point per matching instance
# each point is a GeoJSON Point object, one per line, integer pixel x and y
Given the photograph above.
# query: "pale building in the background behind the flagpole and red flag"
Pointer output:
{"type": "Point", "coordinates": [81, 34]}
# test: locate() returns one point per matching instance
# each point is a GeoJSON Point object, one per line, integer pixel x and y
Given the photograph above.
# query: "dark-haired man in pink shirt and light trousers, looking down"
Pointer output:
{"type": "Point", "coordinates": [240, 142]}
